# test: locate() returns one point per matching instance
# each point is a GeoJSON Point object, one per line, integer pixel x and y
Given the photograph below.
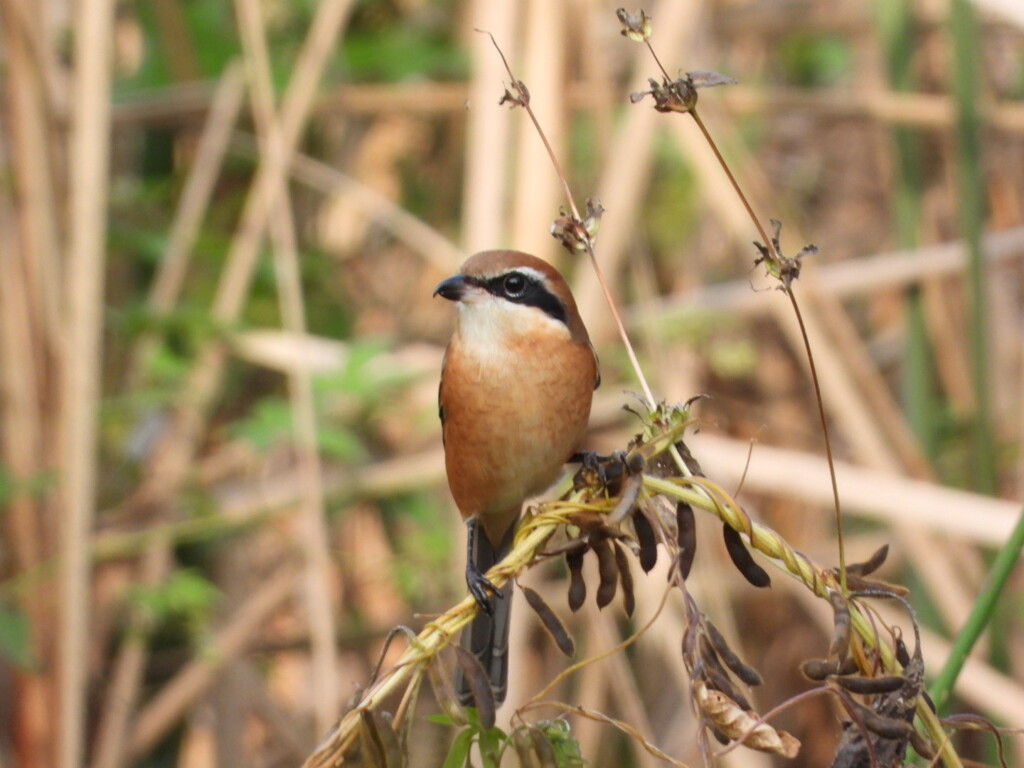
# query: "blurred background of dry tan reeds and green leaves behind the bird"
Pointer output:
{"type": "Point", "coordinates": [222, 480]}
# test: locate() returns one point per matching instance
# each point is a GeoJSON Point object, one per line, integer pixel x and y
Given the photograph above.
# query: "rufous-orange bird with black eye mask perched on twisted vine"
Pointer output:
{"type": "Point", "coordinates": [518, 381]}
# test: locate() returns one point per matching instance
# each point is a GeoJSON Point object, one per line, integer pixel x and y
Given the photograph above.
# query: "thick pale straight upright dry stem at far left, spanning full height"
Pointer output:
{"type": "Point", "coordinates": [82, 358]}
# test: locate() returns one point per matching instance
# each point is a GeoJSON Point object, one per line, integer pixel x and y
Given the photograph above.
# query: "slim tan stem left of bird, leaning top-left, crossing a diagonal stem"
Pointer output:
{"type": "Point", "coordinates": [314, 535]}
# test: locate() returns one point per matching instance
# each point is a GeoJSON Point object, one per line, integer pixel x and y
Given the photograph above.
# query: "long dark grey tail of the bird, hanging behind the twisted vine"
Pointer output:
{"type": "Point", "coordinates": [487, 637]}
